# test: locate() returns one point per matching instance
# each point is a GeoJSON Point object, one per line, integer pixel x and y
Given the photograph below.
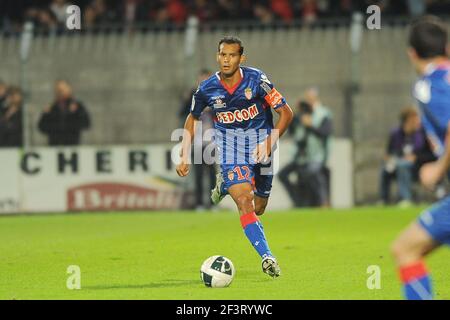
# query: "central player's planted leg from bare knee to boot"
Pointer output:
{"type": "Point", "coordinates": [243, 196]}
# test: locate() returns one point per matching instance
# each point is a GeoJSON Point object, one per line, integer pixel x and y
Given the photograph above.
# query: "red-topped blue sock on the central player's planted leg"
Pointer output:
{"type": "Point", "coordinates": [254, 231]}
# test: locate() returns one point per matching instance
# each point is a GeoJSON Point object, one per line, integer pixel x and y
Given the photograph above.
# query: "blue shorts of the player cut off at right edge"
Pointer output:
{"type": "Point", "coordinates": [436, 221]}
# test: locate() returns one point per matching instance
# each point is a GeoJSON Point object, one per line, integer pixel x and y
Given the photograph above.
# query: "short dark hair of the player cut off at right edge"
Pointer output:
{"type": "Point", "coordinates": [428, 36]}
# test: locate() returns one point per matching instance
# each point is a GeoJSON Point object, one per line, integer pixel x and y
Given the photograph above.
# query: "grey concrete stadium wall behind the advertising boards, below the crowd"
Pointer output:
{"type": "Point", "coordinates": [133, 83]}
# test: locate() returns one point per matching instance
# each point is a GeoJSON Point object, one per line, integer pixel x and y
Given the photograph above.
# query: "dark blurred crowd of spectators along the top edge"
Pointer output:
{"type": "Point", "coordinates": [51, 14]}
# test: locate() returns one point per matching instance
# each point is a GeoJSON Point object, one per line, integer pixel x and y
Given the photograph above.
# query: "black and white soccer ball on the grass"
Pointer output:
{"type": "Point", "coordinates": [217, 272]}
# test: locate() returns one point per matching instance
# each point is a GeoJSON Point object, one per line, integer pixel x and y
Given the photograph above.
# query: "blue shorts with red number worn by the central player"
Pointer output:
{"type": "Point", "coordinates": [258, 175]}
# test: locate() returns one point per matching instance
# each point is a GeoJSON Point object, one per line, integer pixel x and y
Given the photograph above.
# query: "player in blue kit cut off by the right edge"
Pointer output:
{"type": "Point", "coordinates": [428, 53]}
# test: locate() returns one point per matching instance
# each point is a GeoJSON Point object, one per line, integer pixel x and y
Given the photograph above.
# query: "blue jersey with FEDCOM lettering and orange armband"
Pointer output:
{"type": "Point", "coordinates": [243, 110]}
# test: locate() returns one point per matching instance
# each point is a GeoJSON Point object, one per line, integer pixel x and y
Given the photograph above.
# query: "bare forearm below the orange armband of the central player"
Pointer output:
{"type": "Point", "coordinates": [263, 150]}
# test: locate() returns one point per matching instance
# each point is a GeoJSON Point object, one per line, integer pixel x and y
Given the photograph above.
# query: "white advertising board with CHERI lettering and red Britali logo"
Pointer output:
{"type": "Point", "coordinates": [88, 179]}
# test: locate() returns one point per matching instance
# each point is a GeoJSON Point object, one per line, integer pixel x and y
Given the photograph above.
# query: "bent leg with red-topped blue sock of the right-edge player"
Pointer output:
{"type": "Point", "coordinates": [409, 250]}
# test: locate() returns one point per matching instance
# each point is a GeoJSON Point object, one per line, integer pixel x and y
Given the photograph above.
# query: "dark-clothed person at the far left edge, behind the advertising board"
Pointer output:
{"type": "Point", "coordinates": [11, 119]}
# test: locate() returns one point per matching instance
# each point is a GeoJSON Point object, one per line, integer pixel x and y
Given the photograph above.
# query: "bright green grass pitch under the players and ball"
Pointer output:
{"type": "Point", "coordinates": [323, 255]}
